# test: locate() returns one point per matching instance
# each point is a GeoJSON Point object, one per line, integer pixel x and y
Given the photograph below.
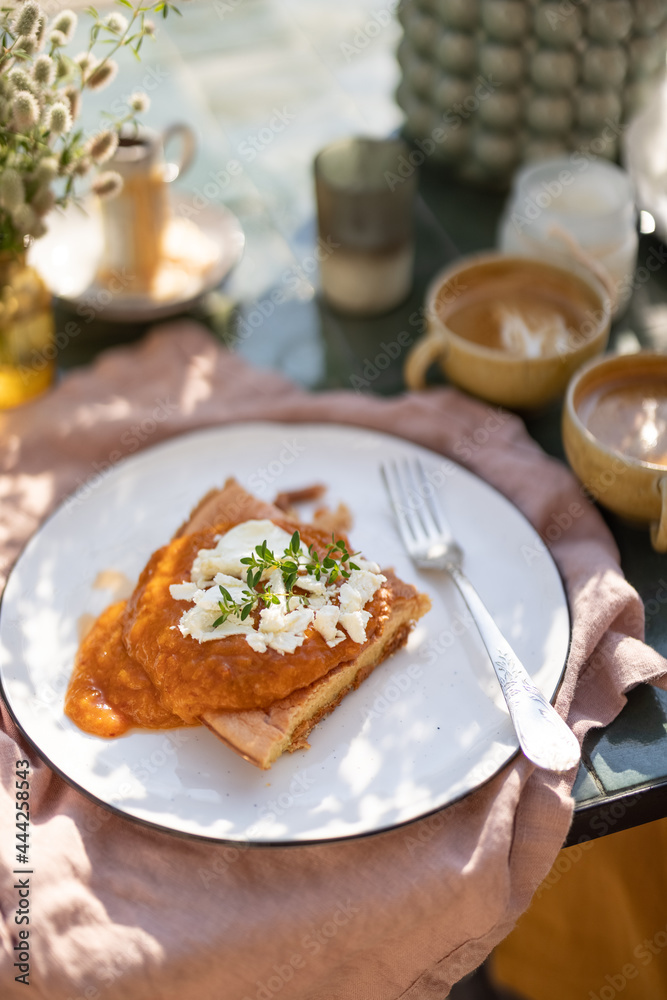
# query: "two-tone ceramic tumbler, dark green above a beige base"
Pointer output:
{"type": "Point", "coordinates": [365, 192]}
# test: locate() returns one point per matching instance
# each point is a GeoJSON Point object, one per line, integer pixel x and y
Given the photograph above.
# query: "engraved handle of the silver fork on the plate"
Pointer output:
{"type": "Point", "coordinates": [544, 737]}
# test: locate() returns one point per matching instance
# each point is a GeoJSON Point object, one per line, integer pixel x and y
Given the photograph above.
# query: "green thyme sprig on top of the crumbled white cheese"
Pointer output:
{"type": "Point", "coordinates": [337, 562]}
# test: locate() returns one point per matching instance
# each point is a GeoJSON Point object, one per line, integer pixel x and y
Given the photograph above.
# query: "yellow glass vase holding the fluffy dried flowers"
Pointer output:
{"type": "Point", "coordinates": [27, 328]}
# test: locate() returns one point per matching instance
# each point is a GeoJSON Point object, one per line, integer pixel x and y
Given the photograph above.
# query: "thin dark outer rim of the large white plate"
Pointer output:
{"type": "Point", "coordinates": [316, 426]}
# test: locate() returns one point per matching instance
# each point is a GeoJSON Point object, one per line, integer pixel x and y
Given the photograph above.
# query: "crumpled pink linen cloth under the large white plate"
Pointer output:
{"type": "Point", "coordinates": [119, 911]}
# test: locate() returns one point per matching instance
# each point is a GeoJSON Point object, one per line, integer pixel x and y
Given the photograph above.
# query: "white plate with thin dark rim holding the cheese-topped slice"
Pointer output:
{"type": "Point", "coordinates": [425, 728]}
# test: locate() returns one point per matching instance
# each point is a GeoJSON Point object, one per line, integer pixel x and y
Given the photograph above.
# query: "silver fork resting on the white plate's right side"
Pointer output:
{"type": "Point", "coordinates": [544, 737]}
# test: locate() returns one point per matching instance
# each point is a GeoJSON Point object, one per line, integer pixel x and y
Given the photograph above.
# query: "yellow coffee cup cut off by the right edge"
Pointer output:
{"type": "Point", "coordinates": [615, 436]}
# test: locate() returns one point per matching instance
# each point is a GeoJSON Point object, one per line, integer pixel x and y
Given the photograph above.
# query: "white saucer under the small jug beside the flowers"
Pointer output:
{"type": "Point", "coordinates": [68, 256]}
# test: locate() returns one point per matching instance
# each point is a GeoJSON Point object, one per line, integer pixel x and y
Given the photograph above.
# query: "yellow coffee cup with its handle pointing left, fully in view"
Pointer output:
{"type": "Point", "coordinates": [511, 330]}
